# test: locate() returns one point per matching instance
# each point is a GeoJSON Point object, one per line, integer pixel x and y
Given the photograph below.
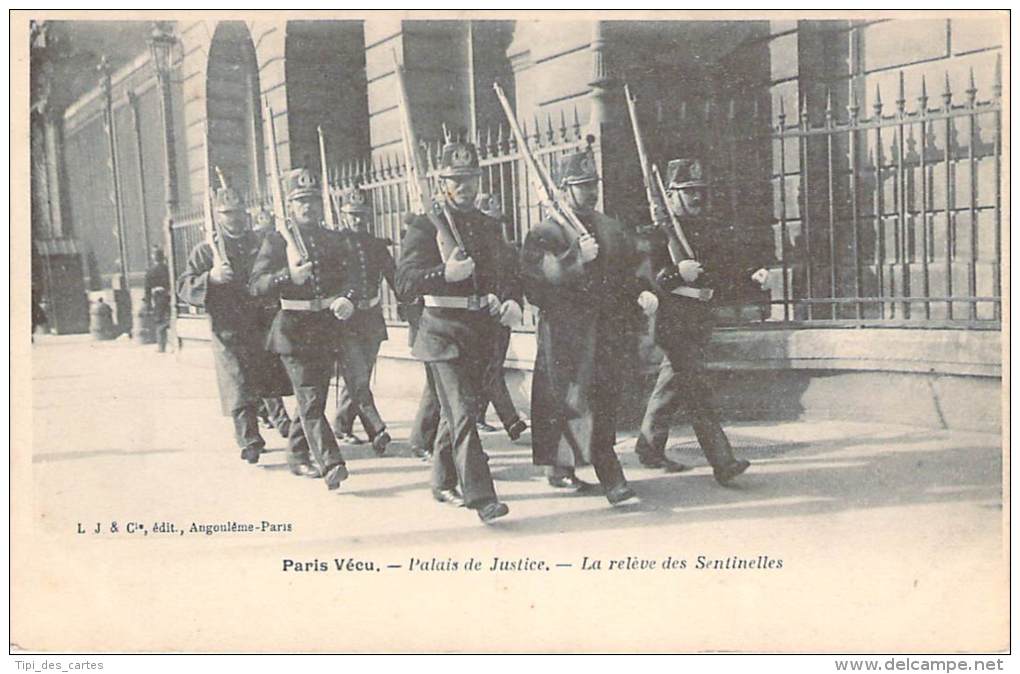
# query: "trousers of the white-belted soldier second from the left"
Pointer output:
{"type": "Point", "coordinates": [310, 376]}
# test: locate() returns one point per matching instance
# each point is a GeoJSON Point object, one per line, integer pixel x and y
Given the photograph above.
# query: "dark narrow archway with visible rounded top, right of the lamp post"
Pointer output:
{"type": "Point", "coordinates": [235, 120]}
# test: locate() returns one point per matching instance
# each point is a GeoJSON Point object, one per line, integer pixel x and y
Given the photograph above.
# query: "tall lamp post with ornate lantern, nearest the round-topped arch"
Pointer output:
{"type": "Point", "coordinates": [162, 43]}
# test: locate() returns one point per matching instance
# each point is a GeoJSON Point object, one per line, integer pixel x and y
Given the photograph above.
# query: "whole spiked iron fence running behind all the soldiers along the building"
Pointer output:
{"type": "Point", "coordinates": [890, 220]}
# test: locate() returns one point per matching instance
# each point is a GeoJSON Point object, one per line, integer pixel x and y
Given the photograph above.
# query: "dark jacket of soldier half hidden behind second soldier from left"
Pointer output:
{"type": "Point", "coordinates": [369, 264]}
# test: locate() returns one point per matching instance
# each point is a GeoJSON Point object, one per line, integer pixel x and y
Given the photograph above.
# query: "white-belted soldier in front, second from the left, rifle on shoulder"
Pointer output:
{"type": "Point", "coordinates": [316, 296]}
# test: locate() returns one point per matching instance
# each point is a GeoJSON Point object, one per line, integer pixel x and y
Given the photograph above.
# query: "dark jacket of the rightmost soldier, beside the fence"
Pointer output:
{"type": "Point", "coordinates": [729, 256]}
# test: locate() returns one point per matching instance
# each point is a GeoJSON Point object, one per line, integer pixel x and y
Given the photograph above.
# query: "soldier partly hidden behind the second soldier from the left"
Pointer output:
{"type": "Point", "coordinates": [370, 263]}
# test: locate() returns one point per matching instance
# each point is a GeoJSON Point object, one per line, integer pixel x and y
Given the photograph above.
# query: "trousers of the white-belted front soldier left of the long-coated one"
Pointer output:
{"type": "Point", "coordinates": [458, 384]}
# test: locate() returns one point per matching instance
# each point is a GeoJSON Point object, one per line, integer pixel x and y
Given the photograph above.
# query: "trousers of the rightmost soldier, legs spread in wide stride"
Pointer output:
{"type": "Point", "coordinates": [682, 384]}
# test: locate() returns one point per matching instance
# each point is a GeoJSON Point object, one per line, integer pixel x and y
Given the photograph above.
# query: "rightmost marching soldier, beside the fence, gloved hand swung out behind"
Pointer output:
{"type": "Point", "coordinates": [728, 267]}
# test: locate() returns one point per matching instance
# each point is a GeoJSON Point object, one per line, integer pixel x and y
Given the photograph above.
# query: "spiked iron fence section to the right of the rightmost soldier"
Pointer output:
{"type": "Point", "coordinates": [889, 220]}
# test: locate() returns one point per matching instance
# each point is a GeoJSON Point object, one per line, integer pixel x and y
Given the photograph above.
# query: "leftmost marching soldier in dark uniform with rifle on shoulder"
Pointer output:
{"type": "Point", "coordinates": [245, 371]}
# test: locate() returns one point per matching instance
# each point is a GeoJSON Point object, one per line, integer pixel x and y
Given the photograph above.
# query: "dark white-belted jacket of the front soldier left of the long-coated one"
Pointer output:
{"type": "Point", "coordinates": [444, 334]}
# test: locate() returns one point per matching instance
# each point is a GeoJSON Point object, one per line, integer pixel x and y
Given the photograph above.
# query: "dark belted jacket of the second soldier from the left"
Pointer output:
{"type": "Point", "coordinates": [304, 332]}
